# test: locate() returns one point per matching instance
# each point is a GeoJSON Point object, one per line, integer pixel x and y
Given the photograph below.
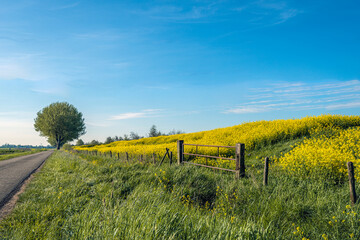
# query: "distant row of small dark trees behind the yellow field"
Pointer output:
{"type": "Point", "coordinates": [153, 132]}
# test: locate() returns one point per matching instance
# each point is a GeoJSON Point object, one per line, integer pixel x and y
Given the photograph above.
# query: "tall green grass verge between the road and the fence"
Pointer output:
{"type": "Point", "coordinates": [88, 197]}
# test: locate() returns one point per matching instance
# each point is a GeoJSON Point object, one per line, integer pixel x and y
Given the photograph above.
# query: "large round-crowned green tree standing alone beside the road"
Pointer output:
{"type": "Point", "coordinates": [60, 122]}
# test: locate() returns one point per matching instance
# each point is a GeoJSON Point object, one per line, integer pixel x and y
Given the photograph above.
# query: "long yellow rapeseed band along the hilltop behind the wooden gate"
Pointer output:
{"type": "Point", "coordinates": [253, 134]}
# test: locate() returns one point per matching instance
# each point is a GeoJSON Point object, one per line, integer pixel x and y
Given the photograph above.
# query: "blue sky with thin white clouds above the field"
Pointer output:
{"type": "Point", "coordinates": [185, 65]}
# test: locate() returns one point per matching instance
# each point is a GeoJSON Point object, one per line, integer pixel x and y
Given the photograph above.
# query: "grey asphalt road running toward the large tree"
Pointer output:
{"type": "Point", "coordinates": [14, 171]}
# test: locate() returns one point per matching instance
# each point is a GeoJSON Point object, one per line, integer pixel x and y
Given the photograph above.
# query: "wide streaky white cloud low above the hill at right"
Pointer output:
{"type": "Point", "coordinates": [301, 96]}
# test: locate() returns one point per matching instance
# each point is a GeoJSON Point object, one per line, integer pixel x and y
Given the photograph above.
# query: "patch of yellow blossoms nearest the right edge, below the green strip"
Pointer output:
{"type": "Point", "coordinates": [325, 155]}
